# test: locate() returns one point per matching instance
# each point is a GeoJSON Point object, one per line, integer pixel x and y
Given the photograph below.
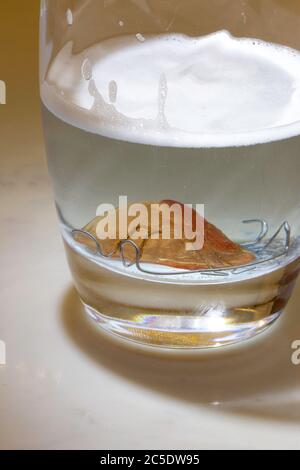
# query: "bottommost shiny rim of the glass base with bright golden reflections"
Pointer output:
{"type": "Point", "coordinates": [187, 332]}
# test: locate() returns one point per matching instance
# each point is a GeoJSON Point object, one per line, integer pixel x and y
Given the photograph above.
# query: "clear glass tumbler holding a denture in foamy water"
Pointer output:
{"type": "Point", "coordinates": [172, 131]}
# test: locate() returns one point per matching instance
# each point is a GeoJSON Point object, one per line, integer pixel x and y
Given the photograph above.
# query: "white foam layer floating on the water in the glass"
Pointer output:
{"type": "Point", "coordinates": [174, 90]}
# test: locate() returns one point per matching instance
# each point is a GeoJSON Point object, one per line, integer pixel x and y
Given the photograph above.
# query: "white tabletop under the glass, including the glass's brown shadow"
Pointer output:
{"type": "Point", "coordinates": [65, 385]}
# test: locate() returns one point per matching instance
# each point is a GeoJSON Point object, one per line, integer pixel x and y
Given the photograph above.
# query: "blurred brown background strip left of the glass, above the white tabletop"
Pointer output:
{"type": "Point", "coordinates": [19, 119]}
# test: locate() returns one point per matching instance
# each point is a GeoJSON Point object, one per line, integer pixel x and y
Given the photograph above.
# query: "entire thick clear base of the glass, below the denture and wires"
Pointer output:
{"type": "Point", "coordinates": [183, 314]}
